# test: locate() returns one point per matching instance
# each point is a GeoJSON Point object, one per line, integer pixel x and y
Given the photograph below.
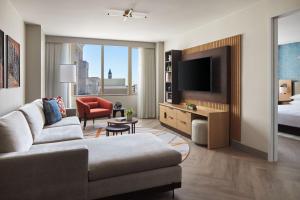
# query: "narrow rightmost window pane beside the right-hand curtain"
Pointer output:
{"type": "Point", "coordinates": [135, 69]}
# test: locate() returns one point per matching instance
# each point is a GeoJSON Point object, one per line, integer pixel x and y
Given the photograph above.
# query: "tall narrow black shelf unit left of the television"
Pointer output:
{"type": "Point", "coordinates": [172, 58]}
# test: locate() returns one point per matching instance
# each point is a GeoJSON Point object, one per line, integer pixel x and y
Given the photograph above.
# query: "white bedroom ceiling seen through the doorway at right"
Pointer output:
{"type": "Point", "coordinates": [289, 28]}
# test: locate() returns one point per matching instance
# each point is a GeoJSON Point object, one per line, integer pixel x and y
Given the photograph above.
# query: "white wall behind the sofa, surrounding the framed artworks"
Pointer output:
{"type": "Point", "coordinates": [13, 25]}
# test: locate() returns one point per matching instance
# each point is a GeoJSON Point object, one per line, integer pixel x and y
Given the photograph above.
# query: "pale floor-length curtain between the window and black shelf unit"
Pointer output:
{"type": "Point", "coordinates": [146, 89]}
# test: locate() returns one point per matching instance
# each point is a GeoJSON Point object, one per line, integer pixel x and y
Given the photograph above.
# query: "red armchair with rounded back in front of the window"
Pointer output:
{"type": "Point", "coordinates": [92, 108]}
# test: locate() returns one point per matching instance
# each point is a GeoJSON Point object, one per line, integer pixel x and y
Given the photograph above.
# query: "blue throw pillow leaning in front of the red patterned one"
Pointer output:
{"type": "Point", "coordinates": [51, 111]}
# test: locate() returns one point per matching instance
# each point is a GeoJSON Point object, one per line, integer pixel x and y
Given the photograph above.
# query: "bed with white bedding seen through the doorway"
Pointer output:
{"type": "Point", "coordinates": [289, 116]}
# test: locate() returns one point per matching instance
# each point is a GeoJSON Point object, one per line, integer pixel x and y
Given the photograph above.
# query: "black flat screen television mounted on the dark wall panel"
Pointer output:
{"type": "Point", "coordinates": [195, 75]}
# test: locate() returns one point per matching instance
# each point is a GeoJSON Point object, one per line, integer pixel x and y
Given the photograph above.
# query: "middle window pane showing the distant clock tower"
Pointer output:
{"type": "Point", "coordinates": [115, 70]}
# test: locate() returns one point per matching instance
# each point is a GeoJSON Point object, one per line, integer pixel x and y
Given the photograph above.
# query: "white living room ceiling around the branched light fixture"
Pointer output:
{"type": "Point", "coordinates": [86, 18]}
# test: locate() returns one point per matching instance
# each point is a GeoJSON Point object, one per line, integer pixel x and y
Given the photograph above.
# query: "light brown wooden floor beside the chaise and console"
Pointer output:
{"type": "Point", "coordinates": [229, 174]}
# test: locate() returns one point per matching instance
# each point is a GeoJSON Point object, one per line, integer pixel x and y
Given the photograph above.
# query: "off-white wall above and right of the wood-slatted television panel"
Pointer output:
{"type": "Point", "coordinates": [254, 23]}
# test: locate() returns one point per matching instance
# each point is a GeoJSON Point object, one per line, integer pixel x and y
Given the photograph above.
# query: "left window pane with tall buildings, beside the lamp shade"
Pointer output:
{"type": "Point", "coordinates": [88, 59]}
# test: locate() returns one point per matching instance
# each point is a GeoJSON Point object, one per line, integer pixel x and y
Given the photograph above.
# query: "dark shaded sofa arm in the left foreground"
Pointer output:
{"type": "Point", "coordinates": [55, 174]}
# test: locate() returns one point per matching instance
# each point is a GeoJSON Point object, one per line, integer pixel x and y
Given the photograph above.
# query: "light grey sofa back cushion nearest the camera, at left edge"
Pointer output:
{"type": "Point", "coordinates": [15, 135]}
